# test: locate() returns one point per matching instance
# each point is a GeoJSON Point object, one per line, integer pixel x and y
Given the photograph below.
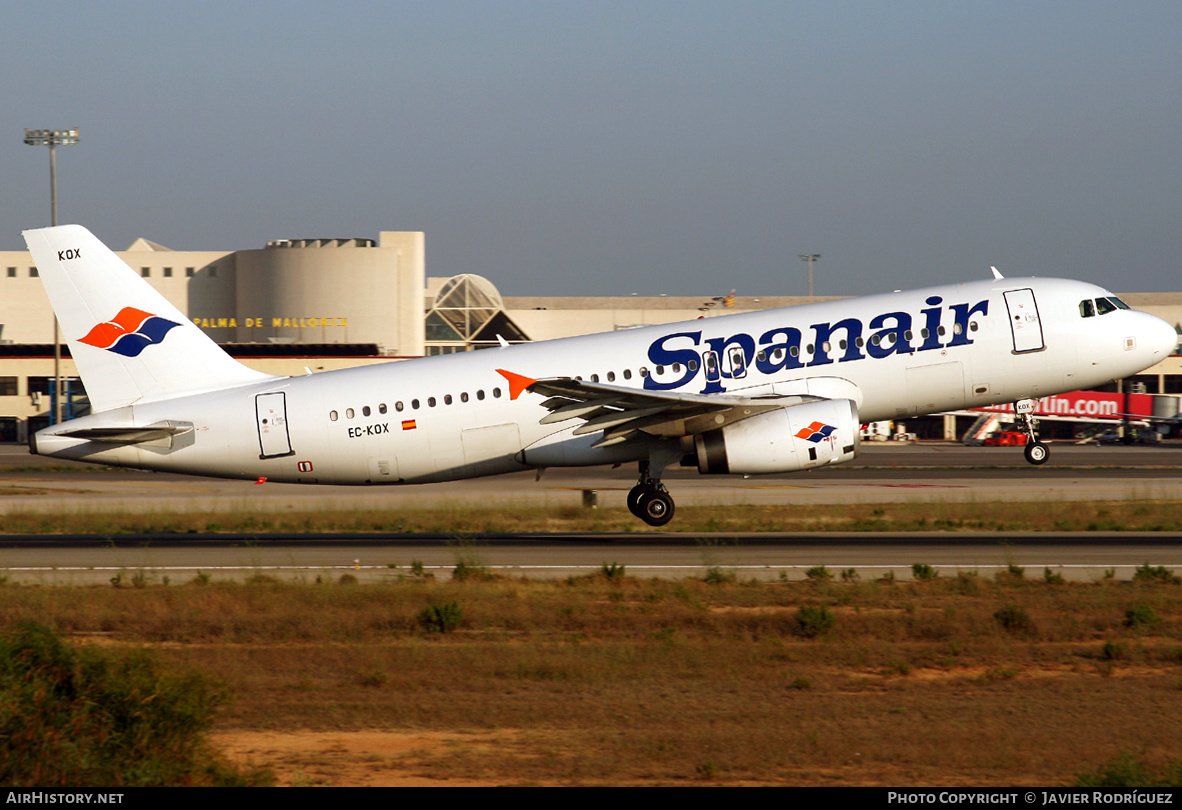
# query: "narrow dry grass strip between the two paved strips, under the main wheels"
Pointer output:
{"type": "Point", "coordinates": [456, 522]}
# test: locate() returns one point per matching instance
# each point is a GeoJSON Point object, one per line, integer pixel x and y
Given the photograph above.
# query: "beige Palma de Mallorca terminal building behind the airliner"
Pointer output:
{"type": "Point", "coordinates": [316, 304]}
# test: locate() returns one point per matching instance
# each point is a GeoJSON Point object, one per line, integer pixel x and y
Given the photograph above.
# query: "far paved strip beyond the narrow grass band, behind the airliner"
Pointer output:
{"type": "Point", "coordinates": [884, 474]}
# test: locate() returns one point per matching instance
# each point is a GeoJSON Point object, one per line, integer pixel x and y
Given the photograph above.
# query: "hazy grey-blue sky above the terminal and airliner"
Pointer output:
{"type": "Point", "coordinates": [615, 148]}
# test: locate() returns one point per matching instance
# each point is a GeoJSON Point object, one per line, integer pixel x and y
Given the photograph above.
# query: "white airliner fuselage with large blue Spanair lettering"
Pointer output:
{"type": "Point", "coordinates": [456, 417]}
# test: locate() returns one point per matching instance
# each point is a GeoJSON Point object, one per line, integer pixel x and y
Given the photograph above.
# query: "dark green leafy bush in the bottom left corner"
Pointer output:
{"type": "Point", "coordinates": [93, 718]}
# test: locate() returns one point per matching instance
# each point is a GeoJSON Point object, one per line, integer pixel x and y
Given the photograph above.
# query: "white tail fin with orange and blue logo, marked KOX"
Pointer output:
{"type": "Point", "coordinates": [129, 344]}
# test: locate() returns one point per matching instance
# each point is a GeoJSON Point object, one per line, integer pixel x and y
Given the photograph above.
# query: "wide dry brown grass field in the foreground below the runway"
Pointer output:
{"type": "Point", "coordinates": [633, 682]}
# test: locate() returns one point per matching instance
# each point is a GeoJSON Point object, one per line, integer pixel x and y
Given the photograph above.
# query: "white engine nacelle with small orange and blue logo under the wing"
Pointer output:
{"type": "Point", "coordinates": [811, 435]}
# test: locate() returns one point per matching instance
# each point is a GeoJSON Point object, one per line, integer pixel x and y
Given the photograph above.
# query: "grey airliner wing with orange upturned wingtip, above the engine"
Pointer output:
{"type": "Point", "coordinates": [622, 413]}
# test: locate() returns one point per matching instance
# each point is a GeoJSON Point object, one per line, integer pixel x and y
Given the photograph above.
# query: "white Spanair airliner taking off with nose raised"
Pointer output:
{"type": "Point", "coordinates": [768, 392]}
